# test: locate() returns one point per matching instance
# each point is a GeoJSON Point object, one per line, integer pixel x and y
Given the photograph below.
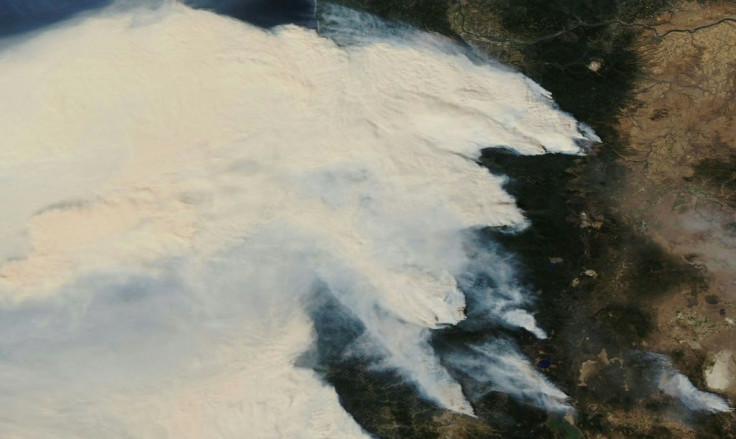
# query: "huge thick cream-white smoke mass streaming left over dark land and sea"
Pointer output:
{"type": "Point", "coordinates": [177, 183]}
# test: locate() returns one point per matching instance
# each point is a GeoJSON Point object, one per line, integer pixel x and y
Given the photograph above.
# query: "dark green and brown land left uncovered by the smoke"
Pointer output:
{"type": "Point", "coordinates": [632, 248]}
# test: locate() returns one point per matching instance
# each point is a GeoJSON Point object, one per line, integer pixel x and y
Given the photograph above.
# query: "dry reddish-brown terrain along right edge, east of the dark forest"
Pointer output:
{"type": "Point", "coordinates": [680, 183]}
